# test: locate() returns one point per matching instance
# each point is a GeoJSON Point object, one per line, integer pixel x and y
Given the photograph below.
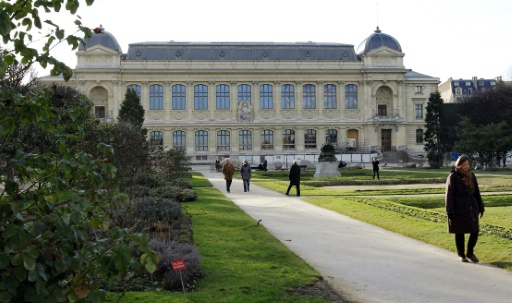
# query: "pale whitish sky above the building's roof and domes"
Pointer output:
{"type": "Point", "coordinates": [440, 38]}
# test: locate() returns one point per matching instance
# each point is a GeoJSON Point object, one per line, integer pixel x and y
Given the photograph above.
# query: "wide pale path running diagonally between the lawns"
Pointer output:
{"type": "Point", "coordinates": [364, 263]}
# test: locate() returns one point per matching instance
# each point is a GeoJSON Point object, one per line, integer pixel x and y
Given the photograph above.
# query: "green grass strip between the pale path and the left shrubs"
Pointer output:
{"type": "Point", "coordinates": [242, 261]}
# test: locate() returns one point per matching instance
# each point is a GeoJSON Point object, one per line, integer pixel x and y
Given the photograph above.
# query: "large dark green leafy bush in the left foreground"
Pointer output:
{"type": "Point", "coordinates": [56, 242]}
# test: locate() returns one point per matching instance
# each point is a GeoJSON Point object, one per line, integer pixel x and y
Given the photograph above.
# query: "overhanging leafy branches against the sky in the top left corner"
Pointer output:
{"type": "Point", "coordinates": [17, 19]}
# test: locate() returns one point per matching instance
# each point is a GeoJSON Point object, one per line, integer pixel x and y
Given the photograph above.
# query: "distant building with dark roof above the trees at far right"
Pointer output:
{"type": "Point", "coordinates": [453, 90]}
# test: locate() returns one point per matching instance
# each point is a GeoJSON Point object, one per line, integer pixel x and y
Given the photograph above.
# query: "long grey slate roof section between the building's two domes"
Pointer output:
{"type": "Point", "coordinates": [246, 51]}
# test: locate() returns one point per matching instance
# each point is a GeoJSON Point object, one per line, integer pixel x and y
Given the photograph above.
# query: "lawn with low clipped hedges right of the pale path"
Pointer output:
{"type": "Point", "coordinates": [407, 212]}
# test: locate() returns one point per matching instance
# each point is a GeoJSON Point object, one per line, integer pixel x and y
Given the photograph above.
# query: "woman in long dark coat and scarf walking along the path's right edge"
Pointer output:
{"type": "Point", "coordinates": [464, 206]}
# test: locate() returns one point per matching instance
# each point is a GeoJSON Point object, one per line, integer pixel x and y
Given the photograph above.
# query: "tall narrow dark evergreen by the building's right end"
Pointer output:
{"type": "Point", "coordinates": [434, 133]}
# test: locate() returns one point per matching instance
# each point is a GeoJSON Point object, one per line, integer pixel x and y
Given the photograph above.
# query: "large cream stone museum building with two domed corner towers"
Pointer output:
{"type": "Point", "coordinates": [250, 100]}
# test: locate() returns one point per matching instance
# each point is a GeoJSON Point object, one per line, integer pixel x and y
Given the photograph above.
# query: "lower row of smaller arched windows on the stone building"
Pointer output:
{"type": "Point", "coordinates": [245, 139]}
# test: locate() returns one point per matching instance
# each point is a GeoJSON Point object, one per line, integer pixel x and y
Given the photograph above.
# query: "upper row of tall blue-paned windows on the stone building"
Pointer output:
{"type": "Point", "coordinates": [266, 97]}
